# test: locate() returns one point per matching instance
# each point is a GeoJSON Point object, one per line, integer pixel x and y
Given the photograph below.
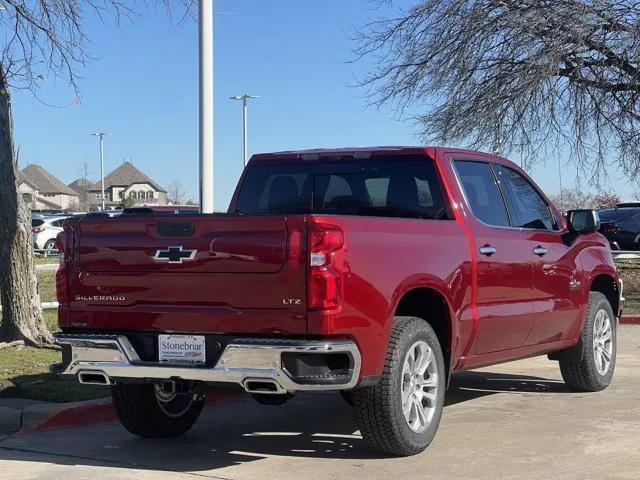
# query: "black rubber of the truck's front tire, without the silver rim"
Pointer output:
{"type": "Point", "coordinates": [584, 375]}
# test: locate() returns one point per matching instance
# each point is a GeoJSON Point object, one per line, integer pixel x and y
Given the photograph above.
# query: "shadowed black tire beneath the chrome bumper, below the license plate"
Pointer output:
{"type": "Point", "coordinates": [141, 411]}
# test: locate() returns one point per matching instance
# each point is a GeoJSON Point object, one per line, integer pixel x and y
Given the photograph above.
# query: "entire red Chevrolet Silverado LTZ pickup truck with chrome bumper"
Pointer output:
{"type": "Point", "coordinates": [377, 272]}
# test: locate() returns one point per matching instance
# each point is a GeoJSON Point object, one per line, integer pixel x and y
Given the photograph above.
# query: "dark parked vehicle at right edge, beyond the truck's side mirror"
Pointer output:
{"type": "Point", "coordinates": [621, 226]}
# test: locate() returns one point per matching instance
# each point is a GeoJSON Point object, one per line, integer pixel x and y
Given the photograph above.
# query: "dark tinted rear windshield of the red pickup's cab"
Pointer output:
{"type": "Point", "coordinates": [391, 188]}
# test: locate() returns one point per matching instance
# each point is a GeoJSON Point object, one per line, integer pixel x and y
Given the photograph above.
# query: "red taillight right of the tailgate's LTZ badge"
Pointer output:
{"type": "Point", "coordinates": [325, 279]}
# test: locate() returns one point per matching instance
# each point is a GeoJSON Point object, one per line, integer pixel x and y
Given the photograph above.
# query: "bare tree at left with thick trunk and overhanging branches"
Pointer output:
{"type": "Point", "coordinates": [39, 39]}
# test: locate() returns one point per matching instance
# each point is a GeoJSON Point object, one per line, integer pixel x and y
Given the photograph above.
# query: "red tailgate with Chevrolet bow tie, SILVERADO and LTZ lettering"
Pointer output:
{"type": "Point", "coordinates": [202, 273]}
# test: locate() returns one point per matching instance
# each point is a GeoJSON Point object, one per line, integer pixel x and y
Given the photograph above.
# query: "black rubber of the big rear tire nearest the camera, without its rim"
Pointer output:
{"type": "Point", "coordinates": [378, 409]}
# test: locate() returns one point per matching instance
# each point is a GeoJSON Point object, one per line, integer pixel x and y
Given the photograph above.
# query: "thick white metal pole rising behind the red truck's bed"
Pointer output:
{"type": "Point", "coordinates": [206, 105]}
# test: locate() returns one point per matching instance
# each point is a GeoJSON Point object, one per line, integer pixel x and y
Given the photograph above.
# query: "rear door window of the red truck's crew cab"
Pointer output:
{"type": "Point", "coordinates": [482, 192]}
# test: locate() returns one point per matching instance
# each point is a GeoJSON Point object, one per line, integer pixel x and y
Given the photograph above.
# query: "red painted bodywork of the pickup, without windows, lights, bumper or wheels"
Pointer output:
{"type": "Point", "coordinates": [506, 306]}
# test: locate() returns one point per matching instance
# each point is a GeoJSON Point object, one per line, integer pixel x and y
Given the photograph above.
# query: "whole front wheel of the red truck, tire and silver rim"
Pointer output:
{"type": "Point", "coordinates": [594, 371]}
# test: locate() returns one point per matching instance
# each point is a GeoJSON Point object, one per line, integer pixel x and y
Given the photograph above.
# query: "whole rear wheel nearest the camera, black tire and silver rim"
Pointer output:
{"type": "Point", "coordinates": [400, 415]}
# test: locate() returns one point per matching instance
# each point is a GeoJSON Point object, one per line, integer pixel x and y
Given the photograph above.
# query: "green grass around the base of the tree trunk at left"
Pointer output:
{"type": "Point", "coordinates": [25, 373]}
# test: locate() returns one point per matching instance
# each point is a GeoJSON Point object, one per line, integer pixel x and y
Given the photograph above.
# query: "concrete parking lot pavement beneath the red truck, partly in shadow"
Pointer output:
{"type": "Point", "coordinates": [510, 421]}
